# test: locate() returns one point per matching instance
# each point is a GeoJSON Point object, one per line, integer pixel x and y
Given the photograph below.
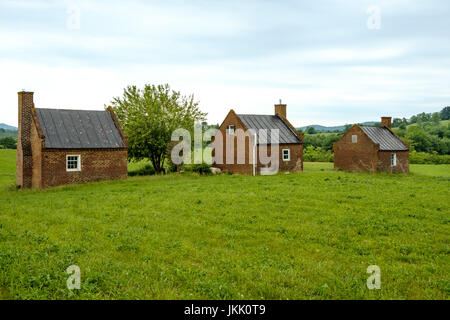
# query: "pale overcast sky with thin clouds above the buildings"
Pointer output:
{"type": "Point", "coordinates": [331, 62]}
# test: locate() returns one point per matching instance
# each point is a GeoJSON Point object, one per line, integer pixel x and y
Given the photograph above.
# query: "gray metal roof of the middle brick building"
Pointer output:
{"type": "Point", "coordinates": [258, 122]}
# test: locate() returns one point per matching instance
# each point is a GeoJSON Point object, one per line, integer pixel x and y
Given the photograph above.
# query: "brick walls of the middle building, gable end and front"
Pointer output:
{"type": "Point", "coordinates": [295, 163]}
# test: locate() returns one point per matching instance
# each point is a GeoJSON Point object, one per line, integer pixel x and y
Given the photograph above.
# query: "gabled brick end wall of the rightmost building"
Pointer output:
{"type": "Point", "coordinates": [360, 156]}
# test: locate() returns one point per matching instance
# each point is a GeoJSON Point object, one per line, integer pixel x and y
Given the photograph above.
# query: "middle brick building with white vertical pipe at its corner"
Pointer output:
{"type": "Point", "coordinates": [254, 135]}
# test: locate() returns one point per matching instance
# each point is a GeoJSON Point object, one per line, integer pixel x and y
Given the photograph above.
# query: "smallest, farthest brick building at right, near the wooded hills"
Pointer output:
{"type": "Point", "coordinates": [372, 149]}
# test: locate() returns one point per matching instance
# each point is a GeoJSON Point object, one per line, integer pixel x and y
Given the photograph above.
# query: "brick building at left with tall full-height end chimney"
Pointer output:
{"type": "Point", "coordinates": [56, 146]}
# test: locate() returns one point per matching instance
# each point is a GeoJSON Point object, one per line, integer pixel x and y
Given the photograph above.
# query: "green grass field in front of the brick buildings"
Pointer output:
{"type": "Point", "coordinates": [289, 236]}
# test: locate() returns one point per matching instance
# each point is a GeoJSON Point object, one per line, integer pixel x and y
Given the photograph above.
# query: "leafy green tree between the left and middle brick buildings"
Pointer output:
{"type": "Point", "coordinates": [150, 115]}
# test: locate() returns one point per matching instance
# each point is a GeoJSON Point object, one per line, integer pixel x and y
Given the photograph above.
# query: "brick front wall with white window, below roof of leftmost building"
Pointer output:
{"type": "Point", "coordinates": [96, 165]}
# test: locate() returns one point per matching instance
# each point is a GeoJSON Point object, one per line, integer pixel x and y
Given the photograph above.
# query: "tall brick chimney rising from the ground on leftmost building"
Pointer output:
{"type": "Point", "coordinates": [24, 157]}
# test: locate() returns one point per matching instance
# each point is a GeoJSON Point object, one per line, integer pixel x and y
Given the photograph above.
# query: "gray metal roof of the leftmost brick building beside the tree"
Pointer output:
{"type": "Point", "coordinates": [79, 129]}
